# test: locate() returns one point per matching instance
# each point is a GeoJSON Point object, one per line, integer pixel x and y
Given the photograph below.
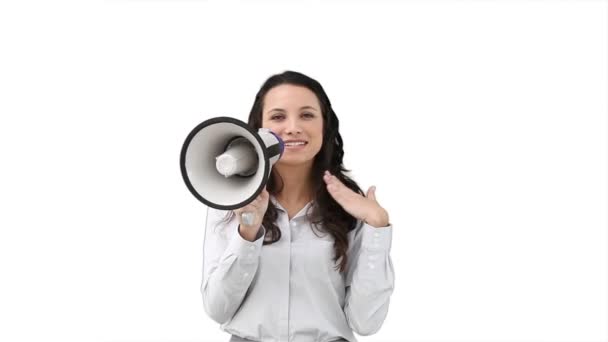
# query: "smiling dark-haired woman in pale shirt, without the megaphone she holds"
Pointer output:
{"type": "Point", "coordinates": [315, 265]}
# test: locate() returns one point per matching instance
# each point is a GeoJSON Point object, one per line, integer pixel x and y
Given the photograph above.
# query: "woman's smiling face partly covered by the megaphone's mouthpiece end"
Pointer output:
{"type": "Point", "coordinates": [294, 114]}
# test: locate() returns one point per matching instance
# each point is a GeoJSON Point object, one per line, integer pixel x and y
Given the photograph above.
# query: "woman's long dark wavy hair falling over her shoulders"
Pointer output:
{"type": "Point", "coordinates": [327, 215]}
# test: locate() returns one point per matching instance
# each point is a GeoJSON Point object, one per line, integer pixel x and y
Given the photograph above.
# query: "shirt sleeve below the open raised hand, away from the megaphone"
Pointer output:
{"type": "Point", "coordinates": [370, 278]}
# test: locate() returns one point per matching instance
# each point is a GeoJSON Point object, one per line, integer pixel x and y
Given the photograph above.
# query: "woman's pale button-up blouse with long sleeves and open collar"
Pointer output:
{"type": "Point", "coordinates": [289, 290]}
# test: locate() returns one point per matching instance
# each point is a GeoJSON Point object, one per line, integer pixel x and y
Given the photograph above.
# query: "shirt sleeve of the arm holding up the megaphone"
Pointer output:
{"type": "Point", "coordinates": [229, 265]}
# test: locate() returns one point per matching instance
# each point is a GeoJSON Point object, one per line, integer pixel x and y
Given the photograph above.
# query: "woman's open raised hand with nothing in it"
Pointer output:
{"type": "Point", "coordinates": [365, 209]}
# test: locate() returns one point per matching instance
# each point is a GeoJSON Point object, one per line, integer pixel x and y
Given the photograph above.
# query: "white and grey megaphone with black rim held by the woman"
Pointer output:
{"type": "Point", "coordinates": [226, 164]}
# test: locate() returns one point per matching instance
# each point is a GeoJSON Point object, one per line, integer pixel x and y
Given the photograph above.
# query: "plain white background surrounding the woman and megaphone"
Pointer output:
{"type": "Point", "coordinates": [483, 125]}
